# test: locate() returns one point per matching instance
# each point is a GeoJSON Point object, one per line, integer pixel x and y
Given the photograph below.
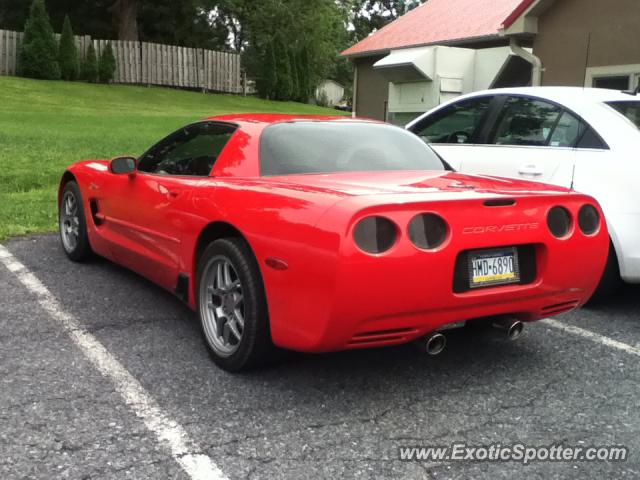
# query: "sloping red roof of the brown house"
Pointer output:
{"type": "Point", "coordinates": [443, 21]}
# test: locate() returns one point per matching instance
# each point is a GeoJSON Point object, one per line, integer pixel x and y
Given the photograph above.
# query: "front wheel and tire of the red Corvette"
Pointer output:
{"type": "Point", "coordinates": [72, 224]}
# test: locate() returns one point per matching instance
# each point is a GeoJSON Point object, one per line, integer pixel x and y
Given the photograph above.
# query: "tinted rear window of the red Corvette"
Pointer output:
{"type": "Point", "coordinates": [310, 147]}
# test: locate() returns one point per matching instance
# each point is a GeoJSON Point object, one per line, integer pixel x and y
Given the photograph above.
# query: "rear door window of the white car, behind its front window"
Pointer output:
{"type": "Point", "coordinates": [525, 121]}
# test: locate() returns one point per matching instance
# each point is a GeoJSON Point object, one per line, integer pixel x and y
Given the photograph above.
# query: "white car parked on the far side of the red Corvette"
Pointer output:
{"type": "Point", "coordinates": [581, 138]}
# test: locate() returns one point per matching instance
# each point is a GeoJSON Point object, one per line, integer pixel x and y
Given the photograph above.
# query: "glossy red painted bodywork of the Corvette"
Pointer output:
{"type": "Point", "coordinates": [323, 292]}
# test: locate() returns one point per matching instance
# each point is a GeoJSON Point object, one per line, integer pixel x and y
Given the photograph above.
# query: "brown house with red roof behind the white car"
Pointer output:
{"type": "Point", "coordinates": [445, 48]}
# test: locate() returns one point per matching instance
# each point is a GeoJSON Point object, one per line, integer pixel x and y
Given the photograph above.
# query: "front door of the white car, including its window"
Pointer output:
{"type": "Point", "coordinates": [454, 130]}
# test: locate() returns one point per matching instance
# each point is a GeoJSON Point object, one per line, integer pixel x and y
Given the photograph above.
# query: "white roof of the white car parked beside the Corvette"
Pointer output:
{"type": "Point", "coordinates": [565, 94]}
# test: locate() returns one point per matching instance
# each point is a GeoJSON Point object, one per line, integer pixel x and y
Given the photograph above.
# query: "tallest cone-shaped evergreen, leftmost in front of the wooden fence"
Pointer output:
{"type": "Point", "coordinates": [39, 50]}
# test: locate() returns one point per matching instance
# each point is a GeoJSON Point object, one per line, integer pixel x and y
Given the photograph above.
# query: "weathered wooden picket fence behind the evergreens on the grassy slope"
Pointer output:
{"type": "Point", "coordinates": [150, 63]}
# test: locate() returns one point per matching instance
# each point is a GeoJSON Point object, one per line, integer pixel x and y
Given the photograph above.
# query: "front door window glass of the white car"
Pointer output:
{"type": "Point", "coordinates": [457, 124]}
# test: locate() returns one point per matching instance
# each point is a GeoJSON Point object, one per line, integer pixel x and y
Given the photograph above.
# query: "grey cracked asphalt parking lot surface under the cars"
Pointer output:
{"type": "Point", "coordinates": [313, 416]}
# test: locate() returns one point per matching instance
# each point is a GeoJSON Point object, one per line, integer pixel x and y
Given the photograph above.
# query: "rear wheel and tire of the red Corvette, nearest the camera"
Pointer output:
{"type": "Point", "coordinates": [232, 306]}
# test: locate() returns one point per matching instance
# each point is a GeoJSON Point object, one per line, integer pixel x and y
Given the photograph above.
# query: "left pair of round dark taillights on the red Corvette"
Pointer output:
{"type": "Point", "coordinates": [378, 234]}
